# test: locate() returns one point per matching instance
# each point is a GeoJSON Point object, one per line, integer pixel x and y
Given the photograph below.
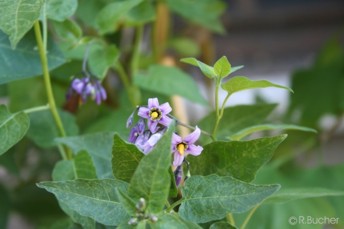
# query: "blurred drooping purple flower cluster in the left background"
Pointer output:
{"type": "Point", "coordinates": [87, 87]}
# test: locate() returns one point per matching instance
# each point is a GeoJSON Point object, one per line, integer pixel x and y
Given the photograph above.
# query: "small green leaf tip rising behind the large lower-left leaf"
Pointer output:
{"type": "Point", "coordinates": [84, 167]}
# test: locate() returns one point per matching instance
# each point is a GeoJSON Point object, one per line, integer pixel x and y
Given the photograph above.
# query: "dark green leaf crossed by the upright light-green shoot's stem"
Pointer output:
{"type": "Point", "coordinates": [237, 118]}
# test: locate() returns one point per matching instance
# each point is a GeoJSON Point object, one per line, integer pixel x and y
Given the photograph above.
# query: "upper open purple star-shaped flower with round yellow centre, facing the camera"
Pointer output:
{"type": "Point", "coordinates": [156, 114]}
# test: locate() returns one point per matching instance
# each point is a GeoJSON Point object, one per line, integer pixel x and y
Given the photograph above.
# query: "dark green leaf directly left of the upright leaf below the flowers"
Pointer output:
{"type": "Point", "coordinates": [125, 159]}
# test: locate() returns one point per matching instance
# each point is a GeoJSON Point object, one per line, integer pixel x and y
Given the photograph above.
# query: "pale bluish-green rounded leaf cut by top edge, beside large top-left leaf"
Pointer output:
{"type": "Point", "coordinates": [60, 10]}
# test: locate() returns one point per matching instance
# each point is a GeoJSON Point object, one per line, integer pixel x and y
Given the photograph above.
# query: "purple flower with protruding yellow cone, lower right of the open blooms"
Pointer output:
{"type": "Point", "coordinates": [182, 147]}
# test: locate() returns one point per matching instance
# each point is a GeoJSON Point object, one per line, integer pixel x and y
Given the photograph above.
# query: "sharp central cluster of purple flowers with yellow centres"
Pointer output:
{"type": "Point", "coordinates": [158, 119]}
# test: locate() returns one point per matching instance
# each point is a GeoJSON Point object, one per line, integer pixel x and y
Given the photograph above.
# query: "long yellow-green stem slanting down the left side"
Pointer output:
{"type": "Point", "coordinates": [47, 83]}
